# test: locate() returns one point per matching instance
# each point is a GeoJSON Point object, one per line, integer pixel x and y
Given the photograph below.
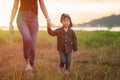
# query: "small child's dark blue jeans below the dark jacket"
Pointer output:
{"type": "Point", "coordinates": [65, 60]}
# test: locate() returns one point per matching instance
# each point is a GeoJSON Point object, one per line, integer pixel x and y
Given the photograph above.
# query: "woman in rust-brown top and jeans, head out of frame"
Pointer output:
{"type": "Point", "coordinates": [27, 22]}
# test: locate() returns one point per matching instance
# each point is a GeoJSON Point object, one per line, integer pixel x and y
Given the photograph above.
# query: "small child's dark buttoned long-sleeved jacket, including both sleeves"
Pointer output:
{"type": "Point", "coordinates": [66, 41]}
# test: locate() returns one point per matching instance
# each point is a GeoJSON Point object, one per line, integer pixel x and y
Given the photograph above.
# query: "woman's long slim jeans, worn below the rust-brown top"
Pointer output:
{"type": "Point", "coordinates": [27, 23]}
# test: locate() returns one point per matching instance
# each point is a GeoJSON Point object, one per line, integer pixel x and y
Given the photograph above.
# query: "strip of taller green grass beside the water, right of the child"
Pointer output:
{"type": "Point", "coordinates": [97, 39]}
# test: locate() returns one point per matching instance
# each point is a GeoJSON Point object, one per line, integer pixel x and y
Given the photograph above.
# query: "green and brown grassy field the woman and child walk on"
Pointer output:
{"type": "Point", "coordinates": [99, 57]}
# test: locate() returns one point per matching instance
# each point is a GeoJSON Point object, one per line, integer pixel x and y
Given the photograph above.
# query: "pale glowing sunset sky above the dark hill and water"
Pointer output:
{"type": "Point", "coordinates": [81, 11]}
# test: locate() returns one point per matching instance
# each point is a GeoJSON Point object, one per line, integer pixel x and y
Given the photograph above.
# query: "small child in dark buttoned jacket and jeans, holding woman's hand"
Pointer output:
{"type": "Point", "coordinates": [66, 41]}
